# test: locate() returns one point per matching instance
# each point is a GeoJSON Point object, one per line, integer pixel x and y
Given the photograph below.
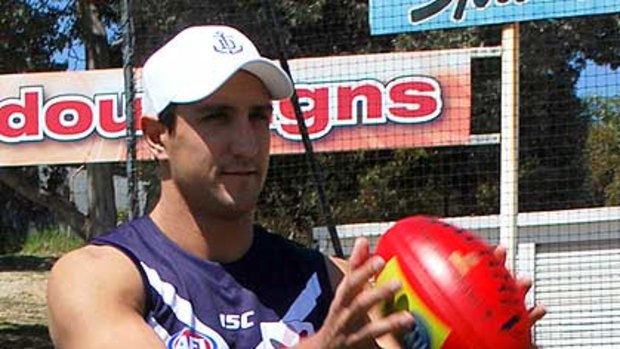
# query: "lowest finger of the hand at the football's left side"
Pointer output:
{"type": "Point", "coordinates": [394, 323]}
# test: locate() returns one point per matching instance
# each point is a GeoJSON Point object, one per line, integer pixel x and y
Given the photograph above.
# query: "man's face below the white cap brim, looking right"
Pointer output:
{"type": "Point", "coordinates": [218, 151]}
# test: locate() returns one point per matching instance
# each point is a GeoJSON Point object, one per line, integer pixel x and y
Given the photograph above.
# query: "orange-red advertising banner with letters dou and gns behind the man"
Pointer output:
{"type": "Point", "coordinates": [350, 102]}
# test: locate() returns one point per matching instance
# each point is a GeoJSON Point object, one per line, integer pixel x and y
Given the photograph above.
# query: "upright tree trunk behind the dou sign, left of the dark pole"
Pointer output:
{"type": "Point", "coordinates": [102, 205]}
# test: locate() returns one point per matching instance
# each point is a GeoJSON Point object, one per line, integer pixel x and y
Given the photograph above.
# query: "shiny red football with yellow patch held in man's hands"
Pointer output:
{"type": "Point", "coordinates": [460, 294]}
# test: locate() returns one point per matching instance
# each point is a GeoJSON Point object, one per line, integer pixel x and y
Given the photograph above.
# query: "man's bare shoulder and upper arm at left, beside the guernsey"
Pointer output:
{"type": "Point", "coordinates": [95, 300]}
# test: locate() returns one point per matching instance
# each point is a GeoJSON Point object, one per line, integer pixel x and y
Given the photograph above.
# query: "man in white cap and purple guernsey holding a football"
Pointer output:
{"type": "Point", "coordinates": [196, 272]}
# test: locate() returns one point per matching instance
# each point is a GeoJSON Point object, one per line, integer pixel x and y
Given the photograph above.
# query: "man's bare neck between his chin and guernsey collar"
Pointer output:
{"type": "Point", "coordinates": [214, 238]}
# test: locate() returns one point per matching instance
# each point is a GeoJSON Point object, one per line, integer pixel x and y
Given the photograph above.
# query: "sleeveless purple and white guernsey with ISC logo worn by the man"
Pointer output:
{"type": "Point", "coordinates": [272, 297]}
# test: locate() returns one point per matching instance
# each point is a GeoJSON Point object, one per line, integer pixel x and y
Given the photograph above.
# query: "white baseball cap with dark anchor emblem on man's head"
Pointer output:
{"type": "Point", "coordinates": [197, 61]}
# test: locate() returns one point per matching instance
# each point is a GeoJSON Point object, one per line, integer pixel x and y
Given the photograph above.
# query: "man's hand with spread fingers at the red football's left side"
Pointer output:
{"type": "Point", "coordinates": [347, 324]}
